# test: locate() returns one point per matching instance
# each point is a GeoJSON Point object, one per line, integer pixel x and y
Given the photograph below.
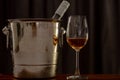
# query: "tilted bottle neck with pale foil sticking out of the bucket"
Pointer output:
{"type": "Point", "coordinates": [61, 10]}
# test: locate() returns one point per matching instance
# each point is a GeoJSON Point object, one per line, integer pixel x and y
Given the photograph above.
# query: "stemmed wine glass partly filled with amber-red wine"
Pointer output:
{"type": "Point", "coordinates": [77, 36]}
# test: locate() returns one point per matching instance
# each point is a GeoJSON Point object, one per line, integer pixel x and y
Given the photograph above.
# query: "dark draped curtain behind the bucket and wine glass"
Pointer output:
{"type": "Point", "coordinates": [102, 52]}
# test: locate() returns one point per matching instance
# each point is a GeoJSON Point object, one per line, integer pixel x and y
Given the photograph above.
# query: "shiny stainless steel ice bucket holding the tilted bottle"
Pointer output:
{"type": "Point", "coordinates": [34, 47]}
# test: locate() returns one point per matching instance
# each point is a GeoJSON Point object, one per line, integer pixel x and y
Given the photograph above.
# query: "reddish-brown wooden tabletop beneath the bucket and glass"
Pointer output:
{"type": "Point", "coordinates": [63, 77]}
